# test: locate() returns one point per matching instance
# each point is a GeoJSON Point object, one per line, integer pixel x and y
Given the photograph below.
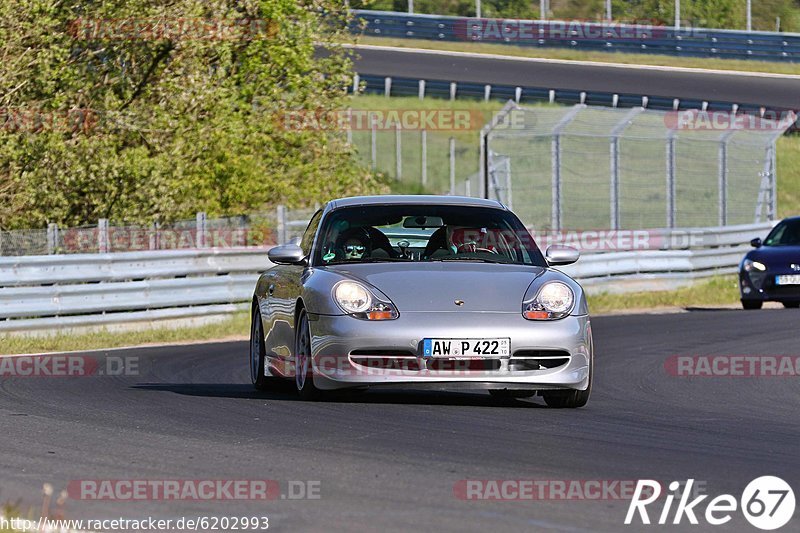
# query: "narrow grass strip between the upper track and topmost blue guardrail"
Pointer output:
{"type": "Point", "coordinates": [578, 55]}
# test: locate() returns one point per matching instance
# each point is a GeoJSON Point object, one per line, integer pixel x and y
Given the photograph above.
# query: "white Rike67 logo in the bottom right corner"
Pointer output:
{"type": "Point", "coordinates": [767, 503]}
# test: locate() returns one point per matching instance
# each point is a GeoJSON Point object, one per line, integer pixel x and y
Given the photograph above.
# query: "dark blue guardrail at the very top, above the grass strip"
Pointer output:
{"type": "Point", "coordinates": [600, 36]}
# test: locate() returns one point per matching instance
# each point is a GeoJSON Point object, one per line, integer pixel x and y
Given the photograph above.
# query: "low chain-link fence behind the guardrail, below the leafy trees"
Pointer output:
{"type": "Point", "coordinates": [259, 229]}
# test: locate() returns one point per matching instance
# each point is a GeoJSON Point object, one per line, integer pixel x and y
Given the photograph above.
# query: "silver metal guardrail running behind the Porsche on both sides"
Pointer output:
{"type": "Point", "coordinates": [59, 292]}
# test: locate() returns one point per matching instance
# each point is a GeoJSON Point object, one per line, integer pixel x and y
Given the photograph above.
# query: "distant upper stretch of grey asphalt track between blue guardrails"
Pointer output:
{"type": "Point", "coordinates": [766, 91]}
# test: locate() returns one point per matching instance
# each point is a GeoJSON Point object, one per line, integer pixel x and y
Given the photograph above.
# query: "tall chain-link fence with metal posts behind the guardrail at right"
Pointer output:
{"type": "Point", "coordinates": [595, 167]}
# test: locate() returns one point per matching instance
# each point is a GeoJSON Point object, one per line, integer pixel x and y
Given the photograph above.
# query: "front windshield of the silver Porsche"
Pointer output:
{"type": "Point", "coordinates": [424, 233]}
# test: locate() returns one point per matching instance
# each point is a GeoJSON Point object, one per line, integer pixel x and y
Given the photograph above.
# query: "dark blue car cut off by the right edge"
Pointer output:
{"type": "Point", "coordinates": [771, 272]}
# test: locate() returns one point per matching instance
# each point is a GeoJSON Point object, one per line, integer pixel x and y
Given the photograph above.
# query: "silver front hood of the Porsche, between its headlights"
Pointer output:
{"type": "Point", "coordinates": [435, 286]}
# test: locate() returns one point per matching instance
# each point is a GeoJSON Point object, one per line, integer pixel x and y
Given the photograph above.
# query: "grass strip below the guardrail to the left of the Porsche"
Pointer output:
{"type": "Point", "coordinates": [237, 326]}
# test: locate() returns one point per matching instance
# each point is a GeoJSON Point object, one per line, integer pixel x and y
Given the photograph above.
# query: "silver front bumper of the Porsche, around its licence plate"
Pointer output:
{"type": "Point", "coordinates": [544, 355]}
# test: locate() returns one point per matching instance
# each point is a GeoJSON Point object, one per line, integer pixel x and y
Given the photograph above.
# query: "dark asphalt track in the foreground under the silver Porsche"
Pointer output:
{"type": "Point", "coordinates": [389, 460]}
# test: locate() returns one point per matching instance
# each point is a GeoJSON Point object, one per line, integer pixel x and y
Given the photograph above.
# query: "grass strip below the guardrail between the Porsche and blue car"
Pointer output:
{"type": "Point", "coordinates": [721, 290]}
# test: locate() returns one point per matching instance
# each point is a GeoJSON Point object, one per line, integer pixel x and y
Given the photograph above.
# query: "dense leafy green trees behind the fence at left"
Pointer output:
{"type": "Point", "coordinates": [137, 110]}
